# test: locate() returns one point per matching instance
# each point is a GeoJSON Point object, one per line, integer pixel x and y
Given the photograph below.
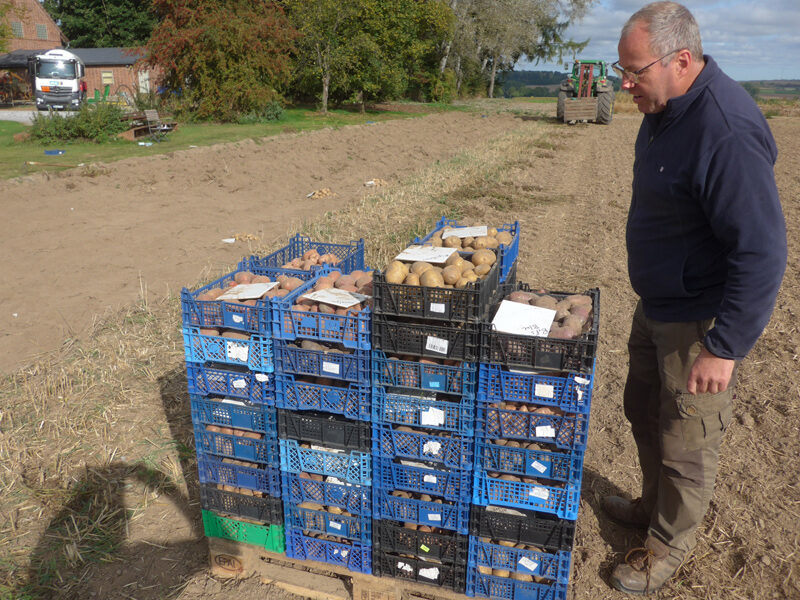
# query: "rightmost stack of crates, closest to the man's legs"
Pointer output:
{"type": "Point", "coordinates": [532, 421]}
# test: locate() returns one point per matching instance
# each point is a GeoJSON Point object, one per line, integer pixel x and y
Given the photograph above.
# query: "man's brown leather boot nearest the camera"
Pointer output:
{"type": "Point", "coordinates": [645, 569]}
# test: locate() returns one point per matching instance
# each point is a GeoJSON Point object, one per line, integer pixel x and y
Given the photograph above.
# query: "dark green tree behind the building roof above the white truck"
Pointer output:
{"type": "Point", "coordinates": [103, 23]}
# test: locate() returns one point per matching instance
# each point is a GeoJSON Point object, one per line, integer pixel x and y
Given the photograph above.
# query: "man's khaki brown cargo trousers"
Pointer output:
{"type": "Point", "coordinates": [678, 435]}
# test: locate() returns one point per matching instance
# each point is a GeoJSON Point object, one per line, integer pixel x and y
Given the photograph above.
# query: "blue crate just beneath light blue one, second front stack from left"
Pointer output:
{"type": "Point", "coordinates": [355, 499]}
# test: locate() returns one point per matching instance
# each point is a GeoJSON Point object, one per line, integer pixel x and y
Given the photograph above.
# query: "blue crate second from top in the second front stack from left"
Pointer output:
{"type": "Point", "coordinates": [353, 366]}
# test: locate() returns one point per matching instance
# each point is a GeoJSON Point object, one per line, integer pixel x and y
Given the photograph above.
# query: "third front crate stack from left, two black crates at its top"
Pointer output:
{"type": "Point", "coordinates": [424, 374]}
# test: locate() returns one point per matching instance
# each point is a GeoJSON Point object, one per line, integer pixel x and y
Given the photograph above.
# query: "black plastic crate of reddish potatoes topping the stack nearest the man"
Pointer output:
{"type": "Point", "coordinates": [547, 354]}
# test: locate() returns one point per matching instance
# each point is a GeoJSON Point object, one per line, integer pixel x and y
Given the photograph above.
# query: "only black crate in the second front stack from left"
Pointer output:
{"type": "Point", "coordinates": [325, 429]}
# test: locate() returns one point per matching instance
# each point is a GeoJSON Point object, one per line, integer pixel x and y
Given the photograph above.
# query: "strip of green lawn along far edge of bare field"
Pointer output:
{"type": "Point", "coordinates": [15, 157]}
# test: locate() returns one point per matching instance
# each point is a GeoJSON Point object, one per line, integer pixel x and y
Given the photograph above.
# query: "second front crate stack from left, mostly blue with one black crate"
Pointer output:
{"type": "Point", "coordinates": [323, 395]}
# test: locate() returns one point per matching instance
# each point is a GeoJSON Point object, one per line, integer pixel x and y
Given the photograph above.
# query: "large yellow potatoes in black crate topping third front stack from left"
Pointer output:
{"type": "Point", "coordinates": [457, 272]}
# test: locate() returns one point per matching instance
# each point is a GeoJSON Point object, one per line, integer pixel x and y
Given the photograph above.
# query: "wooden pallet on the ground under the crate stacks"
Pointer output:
{"type": "Point", "coordinates": [311, 579]}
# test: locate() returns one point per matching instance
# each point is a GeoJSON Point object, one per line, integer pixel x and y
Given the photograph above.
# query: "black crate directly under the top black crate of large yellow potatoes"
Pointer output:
{"type": "Point", "coordinates": [460, 341]}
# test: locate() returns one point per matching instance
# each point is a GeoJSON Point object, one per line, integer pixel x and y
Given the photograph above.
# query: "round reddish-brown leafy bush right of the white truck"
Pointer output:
{"type": "Point", "coordinates": [223, 57]}
